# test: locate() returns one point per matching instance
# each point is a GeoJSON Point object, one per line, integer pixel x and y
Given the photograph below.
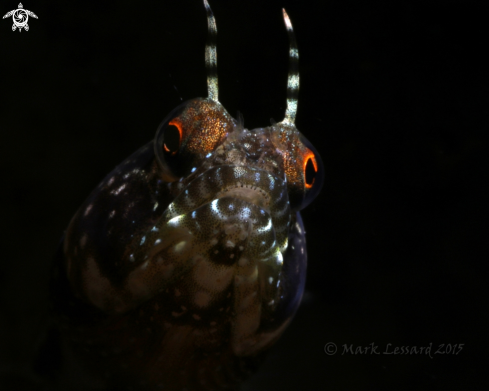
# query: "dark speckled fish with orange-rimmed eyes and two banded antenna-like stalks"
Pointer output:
{"type": "Point", "coordinates": [188, 261]}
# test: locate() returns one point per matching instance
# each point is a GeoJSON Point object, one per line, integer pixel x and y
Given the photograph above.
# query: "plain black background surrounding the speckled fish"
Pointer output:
{"type": "Point", "coordinates": [394, 96]}
